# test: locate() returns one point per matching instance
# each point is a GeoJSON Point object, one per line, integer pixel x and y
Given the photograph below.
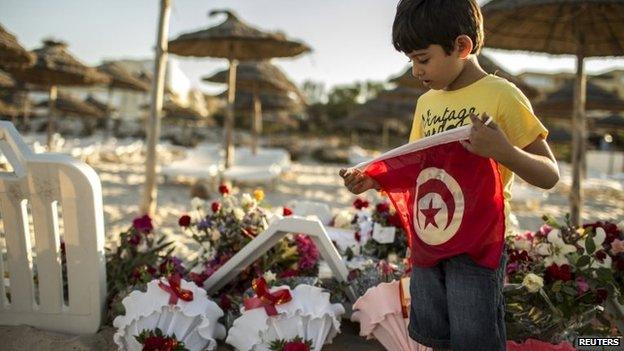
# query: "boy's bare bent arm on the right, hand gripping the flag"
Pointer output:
{"type": "Point", "coordinates": [535, 163]}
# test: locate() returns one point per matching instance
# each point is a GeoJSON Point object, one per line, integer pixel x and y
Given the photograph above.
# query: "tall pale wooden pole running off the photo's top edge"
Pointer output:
{"type": "Point", "coordinates": [148, 205]}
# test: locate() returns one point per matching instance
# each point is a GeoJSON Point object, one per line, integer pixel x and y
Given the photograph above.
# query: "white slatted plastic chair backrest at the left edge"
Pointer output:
{"type": "Point", "coordinates": [47, 200]}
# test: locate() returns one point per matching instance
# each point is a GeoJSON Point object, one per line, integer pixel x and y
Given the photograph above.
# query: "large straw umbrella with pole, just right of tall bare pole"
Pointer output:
{"type": "Point", "coordinates": [234, 40]}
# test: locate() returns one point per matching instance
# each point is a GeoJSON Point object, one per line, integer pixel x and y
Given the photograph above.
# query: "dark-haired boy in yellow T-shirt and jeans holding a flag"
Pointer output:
{"type": "Point", "coordinates": [458, 304]}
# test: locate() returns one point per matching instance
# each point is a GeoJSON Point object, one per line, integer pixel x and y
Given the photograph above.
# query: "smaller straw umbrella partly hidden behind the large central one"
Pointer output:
{"type": "Point", "coordinates": [255, 76]}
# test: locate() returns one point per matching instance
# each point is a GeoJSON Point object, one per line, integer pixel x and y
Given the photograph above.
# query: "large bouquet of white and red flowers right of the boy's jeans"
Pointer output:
{"type": "Point", "coordinates": [568, 273]}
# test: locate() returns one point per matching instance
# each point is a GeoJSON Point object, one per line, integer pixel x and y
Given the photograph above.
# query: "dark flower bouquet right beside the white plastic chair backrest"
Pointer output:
{"type": "Point", "coordinates": [139, 258]}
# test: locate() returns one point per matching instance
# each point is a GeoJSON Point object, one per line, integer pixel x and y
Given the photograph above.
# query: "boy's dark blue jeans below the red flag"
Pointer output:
{"type": "Point", "coordinates": [458, 305]}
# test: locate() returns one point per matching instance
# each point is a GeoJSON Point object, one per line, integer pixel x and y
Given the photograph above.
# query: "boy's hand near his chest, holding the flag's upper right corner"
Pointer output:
{"type": "Point", "coordinates": [487, 140]}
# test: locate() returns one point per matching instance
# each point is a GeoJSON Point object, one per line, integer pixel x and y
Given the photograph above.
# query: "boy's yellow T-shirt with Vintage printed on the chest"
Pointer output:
{"type": "Point", "coordinates": [440, 110]}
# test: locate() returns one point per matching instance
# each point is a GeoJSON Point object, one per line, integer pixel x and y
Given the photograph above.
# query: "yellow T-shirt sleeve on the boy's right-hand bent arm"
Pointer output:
{"type": "Point", "coordinates": [517, 120]}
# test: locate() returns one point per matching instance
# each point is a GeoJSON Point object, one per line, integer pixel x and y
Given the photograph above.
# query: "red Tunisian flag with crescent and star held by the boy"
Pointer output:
{"type": "Point", "coordinates": [450, 200]}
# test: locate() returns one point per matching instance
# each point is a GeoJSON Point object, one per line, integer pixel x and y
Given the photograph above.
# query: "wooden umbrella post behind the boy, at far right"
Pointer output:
{"type": "Point", "coordinates": [579, 137]}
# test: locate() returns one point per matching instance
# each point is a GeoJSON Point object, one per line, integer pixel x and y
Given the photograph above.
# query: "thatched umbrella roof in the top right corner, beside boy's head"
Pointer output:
{"type": "Point", "coordinates": [556, 26]}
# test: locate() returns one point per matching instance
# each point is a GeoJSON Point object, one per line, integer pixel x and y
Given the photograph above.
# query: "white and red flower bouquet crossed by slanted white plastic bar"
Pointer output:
{"type": "Point", "coordinates": [227, 226]}
